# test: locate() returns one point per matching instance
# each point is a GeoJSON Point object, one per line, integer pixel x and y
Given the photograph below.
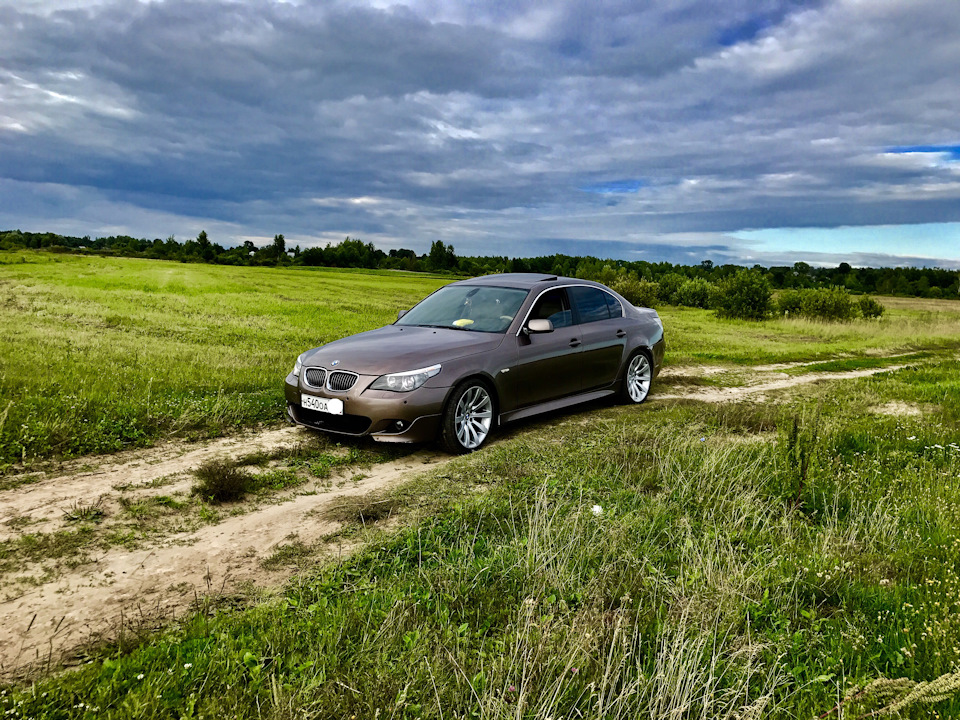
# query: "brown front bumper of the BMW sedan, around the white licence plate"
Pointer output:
{"type": "Point", "coordinates": [384, 415]}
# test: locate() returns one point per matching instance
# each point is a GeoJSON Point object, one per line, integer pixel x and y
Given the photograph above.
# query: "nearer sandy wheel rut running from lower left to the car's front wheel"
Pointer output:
{"type": "Point", "coordinates": [151, 586]}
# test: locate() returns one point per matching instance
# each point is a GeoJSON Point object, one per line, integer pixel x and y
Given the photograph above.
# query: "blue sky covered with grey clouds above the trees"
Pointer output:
{"type": "Point", "coordinates": [747, 131]}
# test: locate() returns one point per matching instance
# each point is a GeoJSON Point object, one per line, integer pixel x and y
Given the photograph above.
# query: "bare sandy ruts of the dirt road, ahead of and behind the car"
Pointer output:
{"type": "Point", "coordinates": [55, 614]}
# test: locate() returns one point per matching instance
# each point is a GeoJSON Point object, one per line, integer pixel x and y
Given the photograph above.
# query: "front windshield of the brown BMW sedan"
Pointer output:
{"type": "Point", "coordinates": [480, 308]}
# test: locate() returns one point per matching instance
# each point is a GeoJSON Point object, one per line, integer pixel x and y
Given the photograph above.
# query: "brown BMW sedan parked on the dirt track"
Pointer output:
{"type": "Point", "coordinates": [475, 354]}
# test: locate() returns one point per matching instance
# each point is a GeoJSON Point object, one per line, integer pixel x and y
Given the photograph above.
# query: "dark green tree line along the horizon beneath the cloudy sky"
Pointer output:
{"type": "Point", "coordinates": [353, 253]}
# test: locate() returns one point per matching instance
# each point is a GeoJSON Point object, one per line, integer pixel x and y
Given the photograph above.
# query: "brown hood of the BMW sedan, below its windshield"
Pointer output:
{"type": "Point", "coordinates": [396, 348]}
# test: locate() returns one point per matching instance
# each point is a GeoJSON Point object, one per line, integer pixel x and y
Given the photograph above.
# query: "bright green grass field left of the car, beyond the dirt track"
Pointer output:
{"type": "Point", "coordinates": [105, 353]}
